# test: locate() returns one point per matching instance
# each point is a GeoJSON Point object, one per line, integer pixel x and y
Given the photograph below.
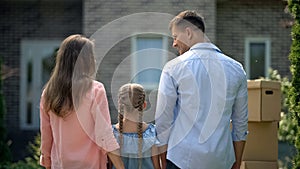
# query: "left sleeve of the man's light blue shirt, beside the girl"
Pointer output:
{"type": "Point", "coordinates": [166, 100]}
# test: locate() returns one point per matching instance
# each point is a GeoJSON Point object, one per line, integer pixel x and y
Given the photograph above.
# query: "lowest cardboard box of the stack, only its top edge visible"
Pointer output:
{"type": "Point", "coordinates": [259, 165]}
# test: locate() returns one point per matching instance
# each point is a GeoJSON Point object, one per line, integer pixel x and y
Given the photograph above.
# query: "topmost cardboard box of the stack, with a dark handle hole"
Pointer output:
{"type": "Point", "coordinates": [264, 100]}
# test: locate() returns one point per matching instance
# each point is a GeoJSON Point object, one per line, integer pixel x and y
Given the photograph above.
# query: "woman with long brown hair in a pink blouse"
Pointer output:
{"type": "Point", "coordinates": [75, 123]}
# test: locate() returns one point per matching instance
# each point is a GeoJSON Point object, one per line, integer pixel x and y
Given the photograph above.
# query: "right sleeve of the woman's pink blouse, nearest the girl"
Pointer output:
{"type": "Point", "coordinates": [103, 131]}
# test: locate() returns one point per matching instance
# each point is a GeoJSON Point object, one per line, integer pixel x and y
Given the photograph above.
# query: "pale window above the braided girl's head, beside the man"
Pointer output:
{"type": "Point", "coordinates": [149, 57]}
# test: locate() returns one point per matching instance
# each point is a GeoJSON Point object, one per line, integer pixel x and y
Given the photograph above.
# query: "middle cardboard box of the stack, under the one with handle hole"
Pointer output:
{"type": "Point", "coordinates": [262, 142]}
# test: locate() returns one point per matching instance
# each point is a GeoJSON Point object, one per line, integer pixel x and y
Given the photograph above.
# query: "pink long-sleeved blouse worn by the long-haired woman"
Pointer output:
{"type": "Point", "coordinates": [81, 139]}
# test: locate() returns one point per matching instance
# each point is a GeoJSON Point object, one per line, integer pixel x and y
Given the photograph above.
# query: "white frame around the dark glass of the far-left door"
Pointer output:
{"type": "Point", "coordinates": [33, 49]}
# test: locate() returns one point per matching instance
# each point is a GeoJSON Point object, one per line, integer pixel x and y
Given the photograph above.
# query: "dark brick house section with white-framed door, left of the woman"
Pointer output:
{"type": "Point", "coordinates": [30, 32]}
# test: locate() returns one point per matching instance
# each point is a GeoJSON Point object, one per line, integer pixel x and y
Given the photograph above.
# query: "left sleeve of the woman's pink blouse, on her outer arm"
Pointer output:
{"type": "Point", "coordinates": [46, 136]}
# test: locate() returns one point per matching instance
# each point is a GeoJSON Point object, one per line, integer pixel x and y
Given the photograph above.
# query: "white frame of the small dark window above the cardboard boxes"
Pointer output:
{"type": "Point", "coordinates": [267, 42]}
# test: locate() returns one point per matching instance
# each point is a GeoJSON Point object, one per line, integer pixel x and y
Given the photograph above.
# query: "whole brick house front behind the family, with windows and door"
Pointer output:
{"type": "Point", "coordinates": [132, 45]}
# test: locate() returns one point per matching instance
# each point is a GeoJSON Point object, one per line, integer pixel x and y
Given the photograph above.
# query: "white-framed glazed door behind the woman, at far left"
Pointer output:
{"type": "Point", "coordinates": [37, 62]}
